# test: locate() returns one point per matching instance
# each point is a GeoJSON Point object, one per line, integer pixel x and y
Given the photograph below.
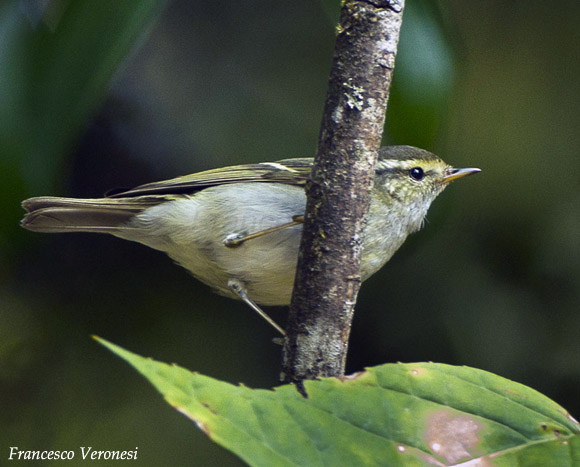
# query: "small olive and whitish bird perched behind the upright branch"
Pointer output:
{"type": "Point", "coordinates": [238, 228]}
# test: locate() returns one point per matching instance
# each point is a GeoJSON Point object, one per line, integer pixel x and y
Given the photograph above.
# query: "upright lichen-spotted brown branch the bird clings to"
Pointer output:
{"type": "Point", "coordinates": [328, 279]}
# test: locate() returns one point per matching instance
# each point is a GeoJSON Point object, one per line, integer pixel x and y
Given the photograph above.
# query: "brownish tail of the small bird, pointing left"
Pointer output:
{"type": "Point", "coordinates": [105, 215]}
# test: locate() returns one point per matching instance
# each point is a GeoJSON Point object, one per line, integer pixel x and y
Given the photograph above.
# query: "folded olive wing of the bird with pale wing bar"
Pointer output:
{"type": "Point", "coordinates": [287, 171]}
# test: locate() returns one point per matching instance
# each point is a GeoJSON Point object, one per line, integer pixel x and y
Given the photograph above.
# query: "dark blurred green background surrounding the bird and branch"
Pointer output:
{"type": "Point", "coordinates": [96, 95]}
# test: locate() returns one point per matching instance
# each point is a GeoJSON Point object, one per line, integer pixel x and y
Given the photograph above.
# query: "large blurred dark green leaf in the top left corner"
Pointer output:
{"type": "Point", "coordinates": [55, 67]}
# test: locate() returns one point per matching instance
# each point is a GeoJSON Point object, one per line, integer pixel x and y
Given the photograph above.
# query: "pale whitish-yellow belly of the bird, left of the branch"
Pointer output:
{"type": "Point", "coordinates": [192, 231]}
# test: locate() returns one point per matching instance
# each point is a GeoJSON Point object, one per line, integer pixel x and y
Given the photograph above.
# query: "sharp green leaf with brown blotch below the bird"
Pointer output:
{"type": "Point", "coordinates": [394, 414]}
